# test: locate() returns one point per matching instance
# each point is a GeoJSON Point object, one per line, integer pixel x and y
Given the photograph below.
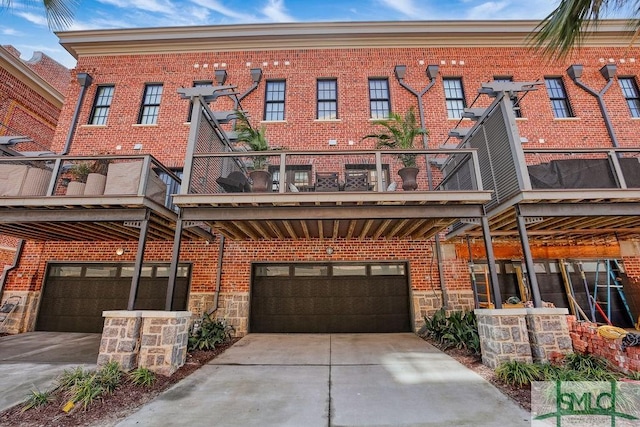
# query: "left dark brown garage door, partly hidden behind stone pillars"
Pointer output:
{"type": "Point", "coordinates": [75, 295]}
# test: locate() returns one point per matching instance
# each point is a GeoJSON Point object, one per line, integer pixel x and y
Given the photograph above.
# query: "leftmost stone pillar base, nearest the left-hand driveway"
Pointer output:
{"type": "Point", "coordinates": [120, 338]}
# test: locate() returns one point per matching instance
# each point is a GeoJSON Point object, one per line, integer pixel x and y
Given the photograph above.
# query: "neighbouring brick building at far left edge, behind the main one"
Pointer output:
{"type": "Point", "coordinates": [31, 97]}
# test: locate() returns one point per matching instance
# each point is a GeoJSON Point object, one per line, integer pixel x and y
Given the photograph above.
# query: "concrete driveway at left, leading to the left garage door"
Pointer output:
{"type": "Point", "coordinates": [33, 361]}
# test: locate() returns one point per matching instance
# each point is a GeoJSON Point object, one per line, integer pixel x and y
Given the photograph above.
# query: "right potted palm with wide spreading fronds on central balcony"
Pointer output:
{"type": "Point", "coordinates": [400, 134]}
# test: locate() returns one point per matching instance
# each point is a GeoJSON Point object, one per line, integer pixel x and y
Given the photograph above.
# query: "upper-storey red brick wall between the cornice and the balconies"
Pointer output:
{"type": "Point", "coordinates": [352, 68]}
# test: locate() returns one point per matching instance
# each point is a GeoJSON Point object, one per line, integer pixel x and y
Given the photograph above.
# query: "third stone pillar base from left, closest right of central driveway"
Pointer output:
{"type": "Point", "coordinates": [503, 336]}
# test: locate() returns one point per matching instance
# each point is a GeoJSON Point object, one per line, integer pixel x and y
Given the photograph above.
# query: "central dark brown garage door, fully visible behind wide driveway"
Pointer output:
{"type": "Point", "coordinates": [330, 298]}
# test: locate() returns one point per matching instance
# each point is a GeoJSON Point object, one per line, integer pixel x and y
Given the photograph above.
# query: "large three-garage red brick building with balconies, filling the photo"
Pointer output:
{"type": "Point", "coordinates": [508, 194]}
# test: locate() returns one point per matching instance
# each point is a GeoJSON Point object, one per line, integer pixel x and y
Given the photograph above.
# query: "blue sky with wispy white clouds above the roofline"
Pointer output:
{"type": "Point", "coordinates": [24, 25]}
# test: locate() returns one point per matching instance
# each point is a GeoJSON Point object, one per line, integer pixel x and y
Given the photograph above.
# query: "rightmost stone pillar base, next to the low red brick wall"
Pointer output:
{"type": "Point", "coordinates": [548, 332]}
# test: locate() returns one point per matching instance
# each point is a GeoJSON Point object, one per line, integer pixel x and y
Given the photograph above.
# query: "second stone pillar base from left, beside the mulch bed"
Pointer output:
{"type": "Point", "coordinates": [163, 347]}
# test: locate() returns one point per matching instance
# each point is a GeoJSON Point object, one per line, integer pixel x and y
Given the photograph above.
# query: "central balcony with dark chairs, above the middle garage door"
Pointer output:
{"type": "Point", "coordinates": [330, 194]}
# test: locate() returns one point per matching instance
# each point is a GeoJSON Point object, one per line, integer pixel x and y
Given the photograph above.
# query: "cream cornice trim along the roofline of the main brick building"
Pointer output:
{"type": "Point", "coordinates": [318, 35]}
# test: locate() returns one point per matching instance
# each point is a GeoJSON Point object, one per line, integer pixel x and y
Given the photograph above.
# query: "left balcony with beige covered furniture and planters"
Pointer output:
{"type": "Point", "coordinates": [87, 198]}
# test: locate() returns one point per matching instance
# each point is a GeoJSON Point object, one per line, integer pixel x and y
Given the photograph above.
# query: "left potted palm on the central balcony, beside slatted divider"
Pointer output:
{"type": "Point", "coordinates": [255, 140]}
